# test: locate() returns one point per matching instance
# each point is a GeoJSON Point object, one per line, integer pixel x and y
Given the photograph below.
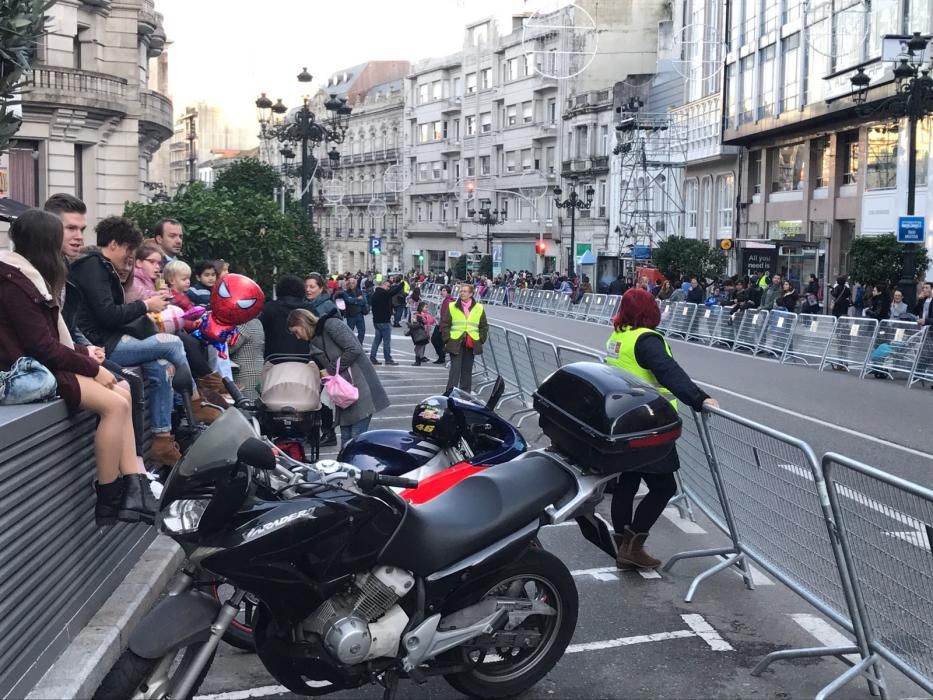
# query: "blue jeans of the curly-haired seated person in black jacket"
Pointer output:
{"type": "Point", "coordinates": [154, 354]}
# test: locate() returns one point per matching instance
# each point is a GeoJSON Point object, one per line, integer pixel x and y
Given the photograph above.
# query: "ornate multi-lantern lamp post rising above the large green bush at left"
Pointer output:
{"type": "Point", "coordinates": [303, 129]}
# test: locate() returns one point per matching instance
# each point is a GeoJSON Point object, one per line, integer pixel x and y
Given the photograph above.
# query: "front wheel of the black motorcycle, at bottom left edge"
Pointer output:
{"type": "Point", "coordinates": [131, 677]}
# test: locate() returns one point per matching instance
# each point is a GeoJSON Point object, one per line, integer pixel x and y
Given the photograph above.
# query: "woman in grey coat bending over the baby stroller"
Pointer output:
{"type": "Point", "coordinates": [332, 340]}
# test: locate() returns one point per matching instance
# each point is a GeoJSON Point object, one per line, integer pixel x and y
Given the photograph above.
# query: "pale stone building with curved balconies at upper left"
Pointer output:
{"type": "Point", "coordinates": [95, 109]}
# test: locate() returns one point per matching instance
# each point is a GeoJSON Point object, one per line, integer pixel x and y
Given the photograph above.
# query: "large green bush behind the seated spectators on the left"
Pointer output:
{"type": "Point", "coordinates": [243, 227]}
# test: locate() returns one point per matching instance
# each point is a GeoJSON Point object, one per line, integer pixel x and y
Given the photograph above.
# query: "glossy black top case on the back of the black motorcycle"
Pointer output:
{"type": "Point", "coordinates": [605, 420]}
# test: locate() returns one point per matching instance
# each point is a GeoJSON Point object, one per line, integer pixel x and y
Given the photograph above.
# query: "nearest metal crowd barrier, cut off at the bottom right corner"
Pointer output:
{"type": "Point", "coordinates": [885, 529]}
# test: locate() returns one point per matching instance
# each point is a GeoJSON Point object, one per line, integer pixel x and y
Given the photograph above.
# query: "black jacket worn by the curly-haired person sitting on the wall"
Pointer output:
{"type": "Point", "coordinates": [95, 301]}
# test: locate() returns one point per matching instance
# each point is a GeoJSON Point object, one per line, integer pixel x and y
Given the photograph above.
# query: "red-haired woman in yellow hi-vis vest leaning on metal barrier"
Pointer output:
{"type": "Point", "coordinates": [638, 349]}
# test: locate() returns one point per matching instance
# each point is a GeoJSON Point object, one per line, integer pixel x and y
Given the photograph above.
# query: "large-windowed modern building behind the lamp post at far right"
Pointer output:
{"type": "Point", "coordinates": [818, 170]}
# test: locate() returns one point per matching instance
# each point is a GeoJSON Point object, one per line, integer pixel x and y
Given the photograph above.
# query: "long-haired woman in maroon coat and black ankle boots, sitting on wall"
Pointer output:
{"type": "Point", "coordinates": [31, 282]}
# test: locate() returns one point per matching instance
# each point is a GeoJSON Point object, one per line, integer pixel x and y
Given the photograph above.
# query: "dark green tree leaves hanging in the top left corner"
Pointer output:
{"type": "Point", "coordinates": [22, 22]}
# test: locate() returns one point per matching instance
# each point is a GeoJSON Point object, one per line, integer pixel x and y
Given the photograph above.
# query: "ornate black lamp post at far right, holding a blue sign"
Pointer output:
{"type": "Point", "coordinates": [913, 100]}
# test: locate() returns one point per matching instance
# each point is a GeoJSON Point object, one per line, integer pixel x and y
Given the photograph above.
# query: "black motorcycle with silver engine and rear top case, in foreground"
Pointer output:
{"type": "Point", "coordinates": [357, 586]}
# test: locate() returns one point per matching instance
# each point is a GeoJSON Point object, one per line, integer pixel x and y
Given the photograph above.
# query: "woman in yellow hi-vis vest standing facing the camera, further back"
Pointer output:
{"type": "Point", "coordinates": [464, 330]}
